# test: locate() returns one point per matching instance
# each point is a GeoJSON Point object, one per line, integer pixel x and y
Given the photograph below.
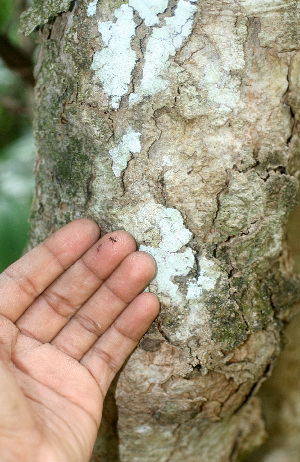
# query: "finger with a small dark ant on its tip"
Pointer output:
{"type": "Point", "coordinates": [53, 309]}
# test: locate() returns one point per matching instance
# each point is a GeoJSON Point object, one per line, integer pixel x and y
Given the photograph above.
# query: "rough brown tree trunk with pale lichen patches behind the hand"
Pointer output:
{"type": "Point", "coordinates": [177, 121]}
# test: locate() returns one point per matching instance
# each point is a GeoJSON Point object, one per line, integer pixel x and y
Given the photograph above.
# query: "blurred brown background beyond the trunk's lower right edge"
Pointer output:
{"type": "Point", "coordinates": [280, 395]}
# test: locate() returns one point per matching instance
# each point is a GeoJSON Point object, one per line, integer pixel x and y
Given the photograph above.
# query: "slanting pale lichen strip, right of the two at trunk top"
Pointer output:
{"type": "Point", "coordinates": [163, 43]}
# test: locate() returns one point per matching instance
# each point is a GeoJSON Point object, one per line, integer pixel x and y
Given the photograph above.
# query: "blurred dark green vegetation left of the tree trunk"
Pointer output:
{"type": "Point", "coordinates": [16, 139]}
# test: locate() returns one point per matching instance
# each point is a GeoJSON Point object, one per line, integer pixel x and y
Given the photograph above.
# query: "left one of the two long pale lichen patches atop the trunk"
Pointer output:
{"type": "Point", "coordinates": [114, 64]}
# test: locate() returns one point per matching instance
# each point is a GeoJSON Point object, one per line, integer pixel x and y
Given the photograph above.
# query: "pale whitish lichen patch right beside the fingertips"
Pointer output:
{"type": "Point", "coordinates": [165, 230]}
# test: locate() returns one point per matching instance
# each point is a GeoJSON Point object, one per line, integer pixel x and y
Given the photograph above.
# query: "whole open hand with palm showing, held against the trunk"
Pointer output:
{"type": "Point", "coordinates": [71, 312]}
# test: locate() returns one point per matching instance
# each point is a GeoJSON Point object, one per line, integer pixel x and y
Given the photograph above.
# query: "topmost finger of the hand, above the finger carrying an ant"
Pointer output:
{"type": "Point", "coordinates": [23, 281]}
